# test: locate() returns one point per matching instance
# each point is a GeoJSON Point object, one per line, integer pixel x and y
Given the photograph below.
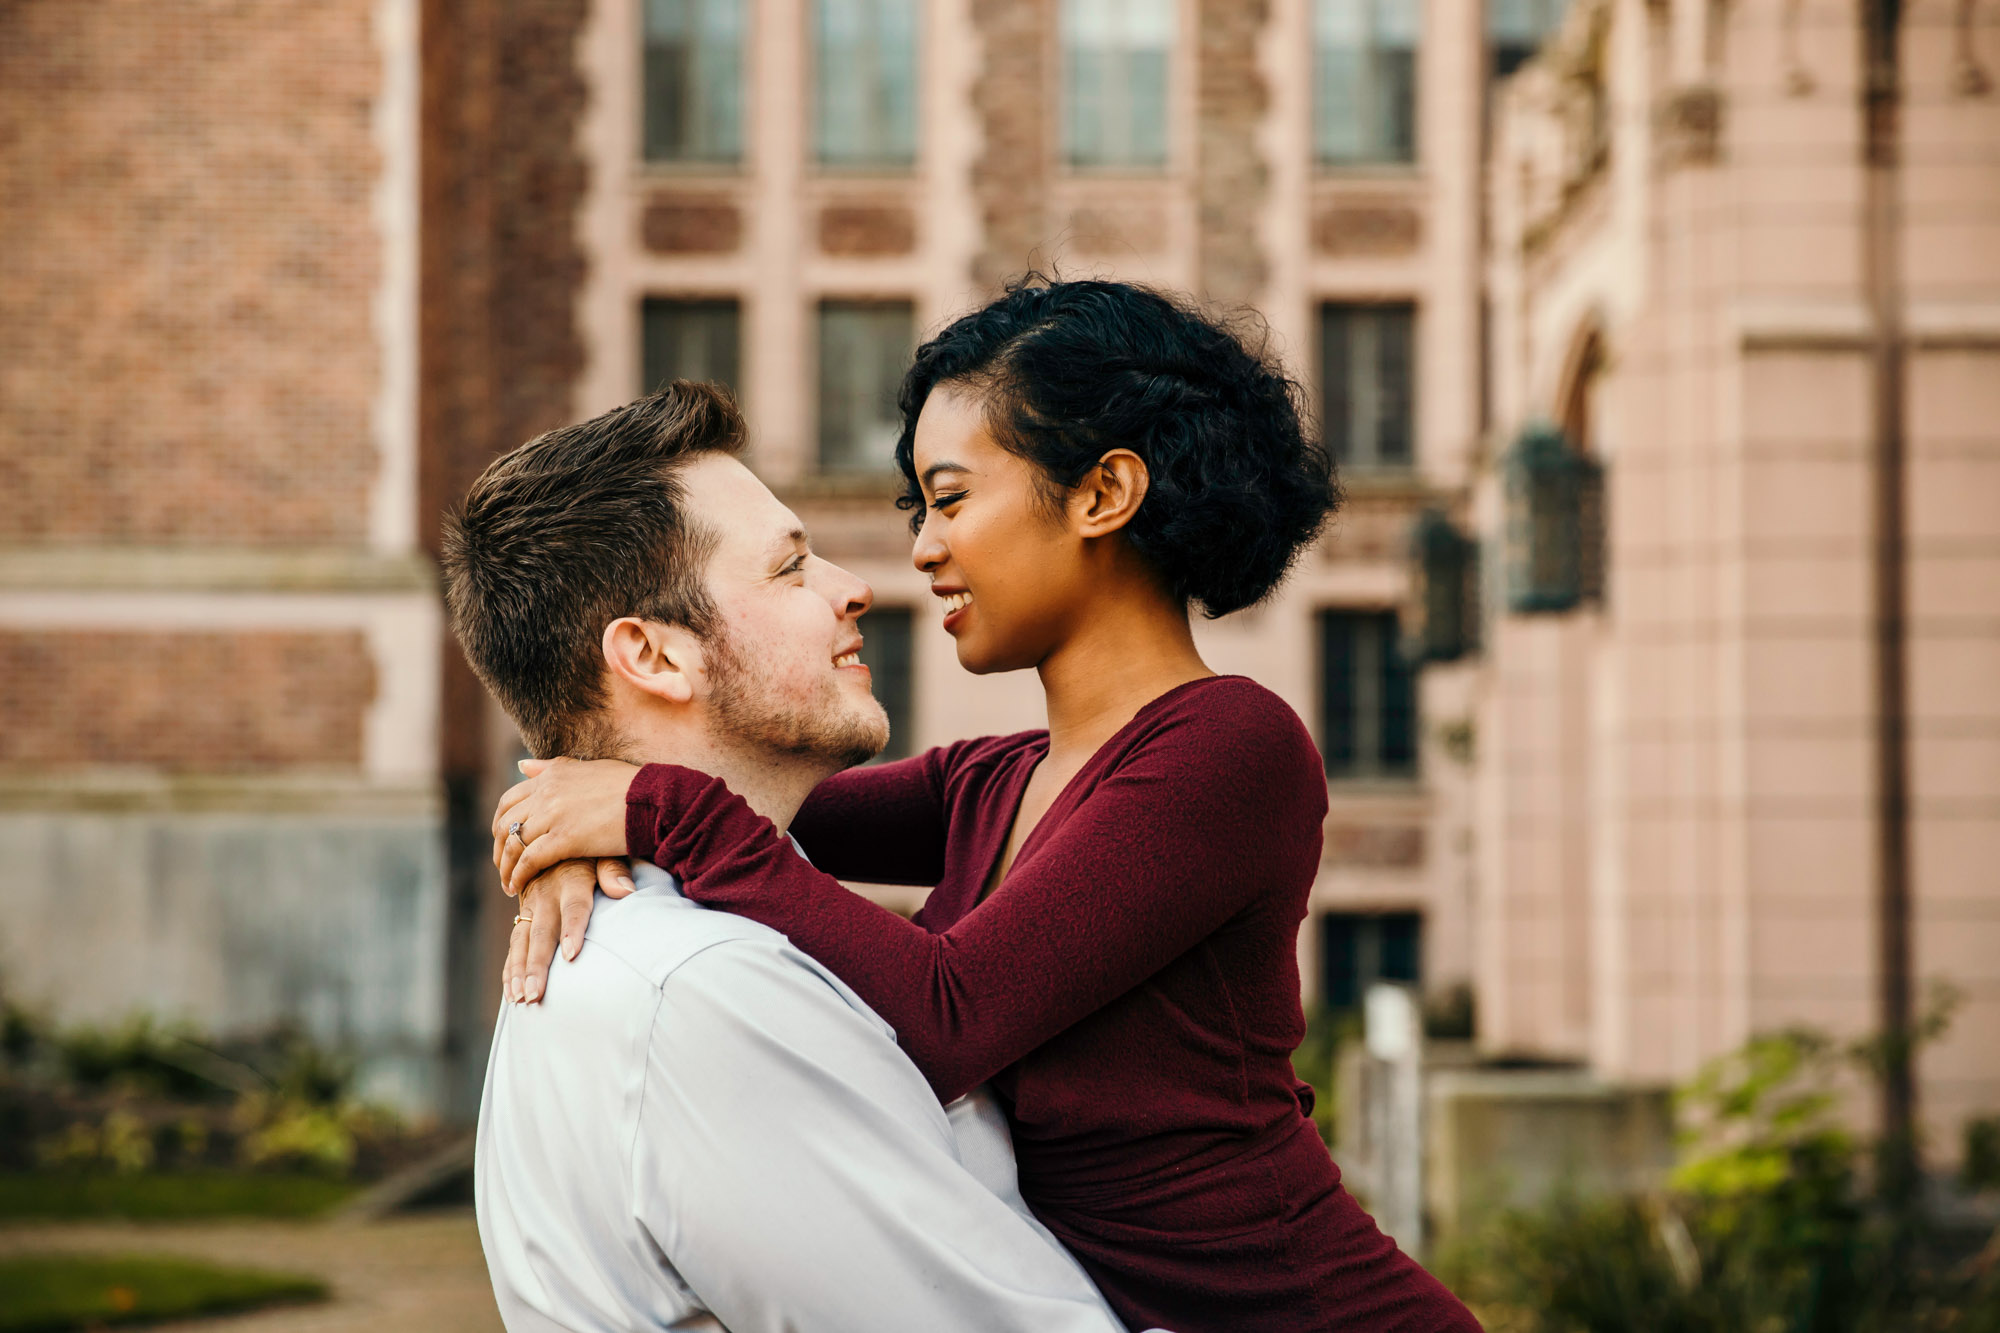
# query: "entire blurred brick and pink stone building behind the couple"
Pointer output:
{"type": "Point", "coordinates": [1593, 651]}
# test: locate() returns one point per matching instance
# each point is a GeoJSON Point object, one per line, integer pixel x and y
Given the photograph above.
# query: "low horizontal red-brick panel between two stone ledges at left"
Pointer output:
{"type": "Point", "coordinates": [185, 702]}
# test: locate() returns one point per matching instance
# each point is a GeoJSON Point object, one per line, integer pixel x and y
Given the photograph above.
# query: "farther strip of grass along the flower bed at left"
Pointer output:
{"type": "Point", "coordinates": [165, 1198]}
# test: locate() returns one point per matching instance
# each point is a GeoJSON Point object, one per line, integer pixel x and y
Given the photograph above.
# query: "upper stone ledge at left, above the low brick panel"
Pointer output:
{"type": "Point", "coordinates": [213, 569]}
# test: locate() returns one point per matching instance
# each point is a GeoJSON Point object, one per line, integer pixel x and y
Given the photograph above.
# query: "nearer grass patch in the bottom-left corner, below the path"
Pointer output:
{"type": "Point", "coordinates": [47, 1294]}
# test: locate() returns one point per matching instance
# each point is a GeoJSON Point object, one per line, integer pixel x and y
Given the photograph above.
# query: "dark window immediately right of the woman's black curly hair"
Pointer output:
{"type": "Point", "coordinates": [1367, 383]}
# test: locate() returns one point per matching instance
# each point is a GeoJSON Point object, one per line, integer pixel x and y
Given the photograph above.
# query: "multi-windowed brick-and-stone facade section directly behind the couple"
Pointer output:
{"type": "Point", "coordinates": [731, 219]}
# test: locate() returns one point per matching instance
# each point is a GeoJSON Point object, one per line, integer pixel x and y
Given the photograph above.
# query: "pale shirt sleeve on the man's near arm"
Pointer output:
{"type": "Point", "coordinates": [801, 1178]}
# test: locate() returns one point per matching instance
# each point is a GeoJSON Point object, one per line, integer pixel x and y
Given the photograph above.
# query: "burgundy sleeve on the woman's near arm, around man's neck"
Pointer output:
{"type": "Point", "coordinates": [1199, 824]}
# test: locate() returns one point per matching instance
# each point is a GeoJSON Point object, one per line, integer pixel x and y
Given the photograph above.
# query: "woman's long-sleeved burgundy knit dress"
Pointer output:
{"type": "Point", "coordinates": [1131, 992]}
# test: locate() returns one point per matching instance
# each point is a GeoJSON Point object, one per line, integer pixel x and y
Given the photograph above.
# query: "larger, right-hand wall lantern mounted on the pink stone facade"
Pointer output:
{"type": "Point", "coordinates": [1553, 523]}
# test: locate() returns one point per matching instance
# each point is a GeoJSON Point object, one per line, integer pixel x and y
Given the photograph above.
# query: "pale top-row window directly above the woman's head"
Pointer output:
{"type": "Point", "coordinates": [1115, 57]}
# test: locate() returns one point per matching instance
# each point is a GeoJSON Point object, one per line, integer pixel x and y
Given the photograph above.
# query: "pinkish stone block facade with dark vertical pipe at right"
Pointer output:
{"type": "Point", "coordinates": [1683, 824]}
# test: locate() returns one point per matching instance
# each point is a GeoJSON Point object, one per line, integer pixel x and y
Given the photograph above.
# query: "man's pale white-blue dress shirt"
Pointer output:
{"type": "Point", "coordinates": [701, 1124]}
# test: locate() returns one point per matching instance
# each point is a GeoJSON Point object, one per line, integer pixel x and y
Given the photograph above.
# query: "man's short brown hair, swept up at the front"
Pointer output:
{"type": "Point", "coordinates": [565, 535]}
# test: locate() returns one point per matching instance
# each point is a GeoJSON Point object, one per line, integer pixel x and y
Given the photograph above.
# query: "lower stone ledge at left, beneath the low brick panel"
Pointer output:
{"type": "Point", "coordinates": [125, 792]}
